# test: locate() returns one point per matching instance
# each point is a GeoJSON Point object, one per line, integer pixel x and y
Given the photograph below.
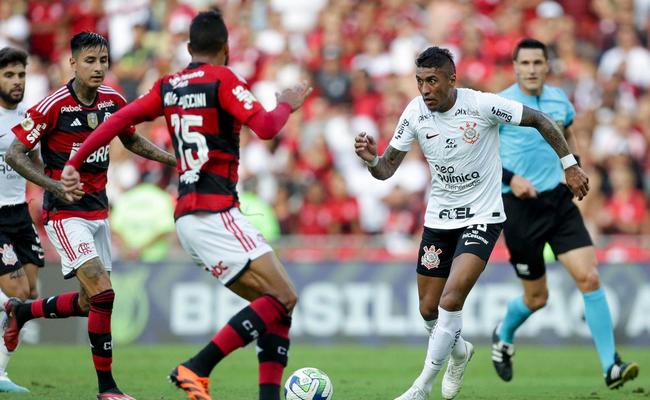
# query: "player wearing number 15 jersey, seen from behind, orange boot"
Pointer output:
{"type": "Point", "coordinates": [205, 106]}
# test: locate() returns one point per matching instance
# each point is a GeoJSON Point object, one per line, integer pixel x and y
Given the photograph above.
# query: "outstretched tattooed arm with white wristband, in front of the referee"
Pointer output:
{"type": "Point", "coordinates": [576, 178]}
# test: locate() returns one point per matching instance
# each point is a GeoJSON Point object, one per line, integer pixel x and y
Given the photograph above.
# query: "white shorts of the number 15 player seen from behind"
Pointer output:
{"type": "Point", "coordinates": [223, 243]}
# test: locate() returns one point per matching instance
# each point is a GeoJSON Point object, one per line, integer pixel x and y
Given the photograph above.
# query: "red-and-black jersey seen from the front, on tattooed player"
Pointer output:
{"type": "Point", "coordinates": [60, 122]}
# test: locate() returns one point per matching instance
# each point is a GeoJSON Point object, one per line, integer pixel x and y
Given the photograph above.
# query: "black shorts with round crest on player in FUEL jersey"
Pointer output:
{"type": "Point", "coordinates": [439, 247]}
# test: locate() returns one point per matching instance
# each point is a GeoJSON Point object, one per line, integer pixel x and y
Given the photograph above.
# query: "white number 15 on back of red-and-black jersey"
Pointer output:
{"type": "Point", "coordinates": [185, 136]}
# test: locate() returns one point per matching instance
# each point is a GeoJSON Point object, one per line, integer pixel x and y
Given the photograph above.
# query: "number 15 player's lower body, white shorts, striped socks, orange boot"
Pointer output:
{"type": "Point", "coordinates": [237, 255]}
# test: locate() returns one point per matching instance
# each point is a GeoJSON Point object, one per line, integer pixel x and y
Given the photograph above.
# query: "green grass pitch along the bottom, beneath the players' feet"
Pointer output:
{"type": "Point", "coordinates": [358, 373]}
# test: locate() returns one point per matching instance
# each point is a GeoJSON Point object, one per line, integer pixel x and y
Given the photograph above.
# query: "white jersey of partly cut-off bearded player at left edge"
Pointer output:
{"type": "Point", "coordinates": [12, 185]}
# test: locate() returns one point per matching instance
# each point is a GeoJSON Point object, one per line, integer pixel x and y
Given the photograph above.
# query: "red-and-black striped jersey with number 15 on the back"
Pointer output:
{"type": "Point", "coordinates": [205, 107]}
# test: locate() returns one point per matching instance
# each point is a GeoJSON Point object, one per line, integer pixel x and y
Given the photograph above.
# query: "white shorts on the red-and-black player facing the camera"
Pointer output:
{"type": "Point", "coordinates": [78, 240]}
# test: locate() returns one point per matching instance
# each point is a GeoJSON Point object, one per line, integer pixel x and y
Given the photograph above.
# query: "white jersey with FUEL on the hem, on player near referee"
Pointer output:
{"type": "Point", "coordinates": [462, 149]}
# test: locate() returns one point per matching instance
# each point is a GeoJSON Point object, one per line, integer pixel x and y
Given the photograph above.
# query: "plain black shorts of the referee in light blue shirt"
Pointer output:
{"type": "Point", "coordinates": [550, 218]}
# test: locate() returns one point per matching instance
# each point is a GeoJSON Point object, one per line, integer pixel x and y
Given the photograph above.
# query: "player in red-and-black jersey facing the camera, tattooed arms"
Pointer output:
{"type": "Point", "coordinates": [79, 231]}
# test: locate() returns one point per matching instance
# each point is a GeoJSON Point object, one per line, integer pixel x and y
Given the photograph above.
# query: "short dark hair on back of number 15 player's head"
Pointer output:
{"type": "Point", "coordinates": [208, 32]}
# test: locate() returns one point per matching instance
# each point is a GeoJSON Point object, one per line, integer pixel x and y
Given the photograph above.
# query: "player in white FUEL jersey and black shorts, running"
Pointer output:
{"type": "Point", "coordinates": [457, 130]}
